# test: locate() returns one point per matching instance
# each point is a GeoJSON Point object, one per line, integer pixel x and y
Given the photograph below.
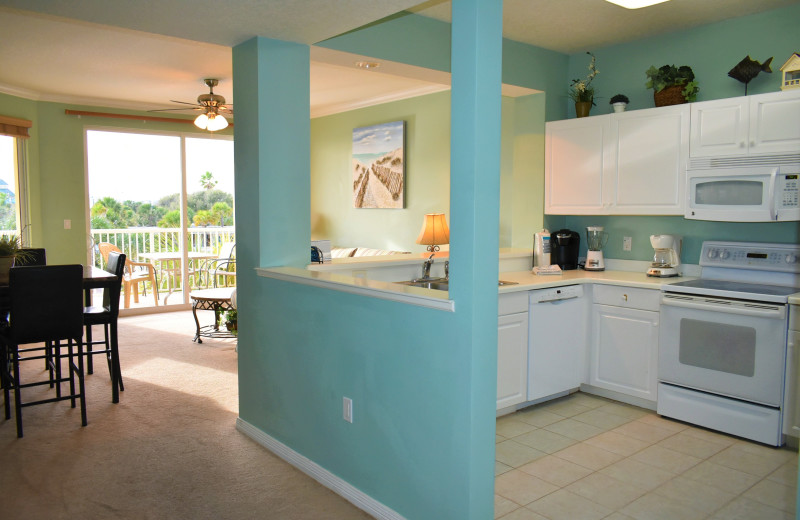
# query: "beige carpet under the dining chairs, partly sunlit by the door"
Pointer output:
{"type": "Point", "coordinates": [168, 450]}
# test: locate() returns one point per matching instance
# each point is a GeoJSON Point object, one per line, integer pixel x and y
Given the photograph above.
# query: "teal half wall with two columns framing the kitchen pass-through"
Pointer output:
{"type": "Point", "coordinates": [423, 382]}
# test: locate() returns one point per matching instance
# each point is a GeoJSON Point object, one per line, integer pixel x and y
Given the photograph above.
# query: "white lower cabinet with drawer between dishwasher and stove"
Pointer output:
{"type": "Point", "coordinates": [624, 344]}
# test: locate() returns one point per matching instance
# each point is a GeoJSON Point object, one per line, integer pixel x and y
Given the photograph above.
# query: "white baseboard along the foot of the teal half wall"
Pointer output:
{"type": "Point", "coordinates": [353, 495]}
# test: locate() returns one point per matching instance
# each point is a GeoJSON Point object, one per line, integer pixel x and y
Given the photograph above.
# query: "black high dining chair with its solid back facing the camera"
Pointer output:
{"type": "Point", "coordinates": [46, 306]}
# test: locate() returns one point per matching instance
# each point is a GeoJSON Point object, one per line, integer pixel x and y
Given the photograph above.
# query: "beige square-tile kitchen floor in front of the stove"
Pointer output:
{"type": "Point", "coordinates": [585, 457]}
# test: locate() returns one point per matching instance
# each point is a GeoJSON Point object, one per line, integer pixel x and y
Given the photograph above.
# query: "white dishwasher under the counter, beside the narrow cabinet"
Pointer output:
{"type": "Point", "coordinates": [557, 340]}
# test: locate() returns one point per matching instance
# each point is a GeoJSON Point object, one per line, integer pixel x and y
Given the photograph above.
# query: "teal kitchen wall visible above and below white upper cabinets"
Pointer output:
{"type": "Point", "coordinates": [711, 51]}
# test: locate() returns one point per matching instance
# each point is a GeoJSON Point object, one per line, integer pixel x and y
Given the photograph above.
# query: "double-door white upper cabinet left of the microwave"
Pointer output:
{"type": "Point", "coordinates": [630, 163]}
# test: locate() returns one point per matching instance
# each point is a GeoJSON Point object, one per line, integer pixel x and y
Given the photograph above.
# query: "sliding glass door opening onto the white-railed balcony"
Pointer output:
{"type": "Point", "coordinates": [166, 201]}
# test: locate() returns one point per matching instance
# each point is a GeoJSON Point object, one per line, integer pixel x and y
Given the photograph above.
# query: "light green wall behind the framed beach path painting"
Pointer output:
{"type": "Point", "coordinates": [427, 173]}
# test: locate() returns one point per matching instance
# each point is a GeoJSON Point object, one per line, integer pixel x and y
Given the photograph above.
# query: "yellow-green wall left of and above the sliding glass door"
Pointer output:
{"type": "Point", "coordinates": [57, 172]}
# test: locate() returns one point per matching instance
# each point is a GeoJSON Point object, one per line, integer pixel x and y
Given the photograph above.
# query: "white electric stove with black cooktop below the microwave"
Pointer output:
{"type": "Point", "coordinates": [722, 339]}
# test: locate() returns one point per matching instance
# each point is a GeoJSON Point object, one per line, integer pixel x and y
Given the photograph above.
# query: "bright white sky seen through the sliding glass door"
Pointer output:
{"type": "Point", "coordinates": [145, 168]}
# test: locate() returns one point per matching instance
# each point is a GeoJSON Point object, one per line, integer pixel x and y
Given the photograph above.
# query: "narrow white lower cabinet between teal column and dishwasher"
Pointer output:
{"type": "Point", "coordinates": [512, 349]}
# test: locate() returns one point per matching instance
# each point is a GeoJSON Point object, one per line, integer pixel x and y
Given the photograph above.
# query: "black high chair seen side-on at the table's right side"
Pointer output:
{"type": "Point", "coordinates": [107, 315]}
